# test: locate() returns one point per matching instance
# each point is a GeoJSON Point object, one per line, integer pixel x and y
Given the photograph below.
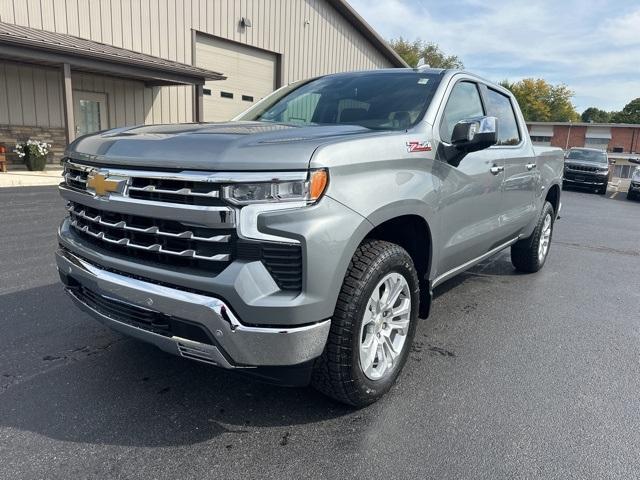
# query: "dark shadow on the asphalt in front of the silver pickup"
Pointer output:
{"type": "Point", "coordinates": [101, 388]}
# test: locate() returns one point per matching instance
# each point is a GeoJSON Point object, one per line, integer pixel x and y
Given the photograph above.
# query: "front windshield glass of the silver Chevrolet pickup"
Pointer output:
{"type": "Point", "coordinates": [379, 101]}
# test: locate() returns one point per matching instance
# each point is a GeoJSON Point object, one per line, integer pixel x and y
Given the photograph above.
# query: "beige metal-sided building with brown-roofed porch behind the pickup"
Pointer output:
{"type": "Point", "coordinates": [70, 67]}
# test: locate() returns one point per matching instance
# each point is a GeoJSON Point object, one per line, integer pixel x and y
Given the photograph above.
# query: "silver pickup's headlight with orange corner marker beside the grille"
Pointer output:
{"type": "Point", "coordinates": [308, 189]}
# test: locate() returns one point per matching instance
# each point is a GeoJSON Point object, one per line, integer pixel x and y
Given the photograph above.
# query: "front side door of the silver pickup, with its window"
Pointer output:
{"type": "Point", "coordinates": [471, 192]}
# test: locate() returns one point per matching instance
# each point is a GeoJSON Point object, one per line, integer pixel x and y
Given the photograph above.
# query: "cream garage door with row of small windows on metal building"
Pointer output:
{"type": "Point", "coordinates": [250, 73]}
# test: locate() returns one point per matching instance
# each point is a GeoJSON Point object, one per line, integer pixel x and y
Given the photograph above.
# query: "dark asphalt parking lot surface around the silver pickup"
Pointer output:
{"type": "Point", "coordinates": [512, 376]}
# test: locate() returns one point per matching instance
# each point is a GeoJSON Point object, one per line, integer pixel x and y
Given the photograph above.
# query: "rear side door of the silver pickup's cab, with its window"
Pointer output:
{"type": "Point", "coordinates": [520, 169]}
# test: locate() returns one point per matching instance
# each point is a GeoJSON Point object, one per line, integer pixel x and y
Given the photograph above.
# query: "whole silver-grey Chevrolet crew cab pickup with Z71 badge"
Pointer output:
{"type": "Point", "coordinates": [301, 241]}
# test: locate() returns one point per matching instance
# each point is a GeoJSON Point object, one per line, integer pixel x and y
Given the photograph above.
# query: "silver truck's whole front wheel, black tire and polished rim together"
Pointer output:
{"type": "Point", "coordinates": [372, 327]}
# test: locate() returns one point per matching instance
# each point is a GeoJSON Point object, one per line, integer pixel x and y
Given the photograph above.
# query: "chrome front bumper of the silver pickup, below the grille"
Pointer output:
{"type": "Point", "coordinates": [232, 344]}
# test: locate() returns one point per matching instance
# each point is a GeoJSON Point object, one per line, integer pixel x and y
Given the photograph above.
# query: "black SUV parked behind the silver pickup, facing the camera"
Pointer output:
{"type": "Point", "coordinates": [587, 167]}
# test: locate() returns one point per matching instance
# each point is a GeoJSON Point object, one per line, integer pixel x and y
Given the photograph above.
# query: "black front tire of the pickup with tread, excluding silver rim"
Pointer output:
{"type": "Point", "coordinates": [337, 373]}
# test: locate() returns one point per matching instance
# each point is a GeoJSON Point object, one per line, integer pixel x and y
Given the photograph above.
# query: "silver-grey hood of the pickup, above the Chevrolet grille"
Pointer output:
{"type": "Point", "coordinates": [229, 146]}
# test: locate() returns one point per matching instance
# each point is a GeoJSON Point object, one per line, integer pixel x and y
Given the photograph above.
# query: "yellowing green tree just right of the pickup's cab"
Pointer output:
{"type": "Point", "coordinates": [541, 101]}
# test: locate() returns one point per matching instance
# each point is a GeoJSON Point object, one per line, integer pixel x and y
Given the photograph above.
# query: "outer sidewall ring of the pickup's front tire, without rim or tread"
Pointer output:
{"type": "Point", "coordinates": [397, 263]}
